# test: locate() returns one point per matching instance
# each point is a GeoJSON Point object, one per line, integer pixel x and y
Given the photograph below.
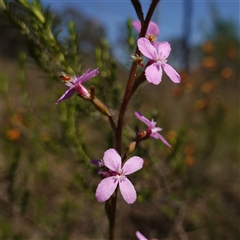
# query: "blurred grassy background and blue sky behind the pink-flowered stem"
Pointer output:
{"type": "Point", "coordinates": [190, 191]}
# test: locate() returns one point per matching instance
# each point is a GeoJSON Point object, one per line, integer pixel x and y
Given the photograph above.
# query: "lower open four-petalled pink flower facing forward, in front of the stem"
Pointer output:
{"type": "Point", "coordinates": [108, 185]}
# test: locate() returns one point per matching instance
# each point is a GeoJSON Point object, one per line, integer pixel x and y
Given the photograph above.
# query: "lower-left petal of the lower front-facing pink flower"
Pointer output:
{"type": "Point", "coordinates": [106, 188]}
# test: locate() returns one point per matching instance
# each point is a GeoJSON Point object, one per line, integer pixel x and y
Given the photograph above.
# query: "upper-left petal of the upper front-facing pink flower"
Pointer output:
{"type": "Point", "coordinates": [147, 49]}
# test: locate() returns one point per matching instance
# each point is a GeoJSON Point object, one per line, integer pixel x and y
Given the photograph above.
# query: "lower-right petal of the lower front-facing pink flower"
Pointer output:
{"type": "Point", "coordinates": [128, 191]}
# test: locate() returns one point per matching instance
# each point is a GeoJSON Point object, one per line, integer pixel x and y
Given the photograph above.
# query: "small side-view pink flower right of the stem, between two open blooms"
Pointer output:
{"type": "Point", "coordinates": [152, 131]}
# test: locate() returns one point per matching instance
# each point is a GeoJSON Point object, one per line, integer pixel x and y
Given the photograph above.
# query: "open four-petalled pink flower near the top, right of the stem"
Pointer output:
{"type": "Point", "coordinates": [158, 53]}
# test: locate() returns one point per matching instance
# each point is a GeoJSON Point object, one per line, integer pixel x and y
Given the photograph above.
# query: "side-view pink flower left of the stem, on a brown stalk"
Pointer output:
{"type": "Point", "coordinates": [75, 85]}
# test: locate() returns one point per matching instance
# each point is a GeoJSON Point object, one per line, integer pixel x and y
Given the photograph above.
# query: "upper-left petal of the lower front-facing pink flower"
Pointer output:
{"type": "Point", "coordinates": [112, 160]}
